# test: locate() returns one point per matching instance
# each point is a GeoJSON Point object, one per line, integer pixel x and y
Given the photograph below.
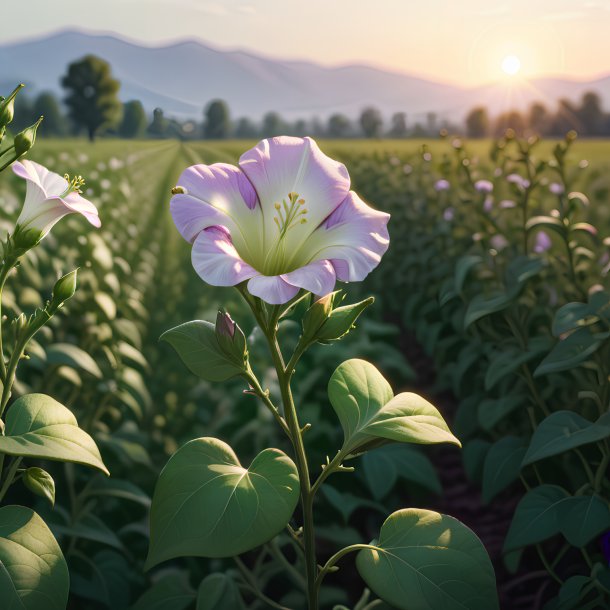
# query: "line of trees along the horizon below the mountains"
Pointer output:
{"type": "Point", "coordinates": [91, 105]}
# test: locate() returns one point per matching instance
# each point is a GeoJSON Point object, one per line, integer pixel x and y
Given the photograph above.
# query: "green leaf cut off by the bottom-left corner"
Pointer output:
{"type": "Point", "coordinates": [33, 571]}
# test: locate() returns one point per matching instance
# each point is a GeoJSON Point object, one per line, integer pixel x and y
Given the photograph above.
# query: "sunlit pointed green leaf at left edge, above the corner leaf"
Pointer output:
{"type": "Point", "coordinates": [38, 426]}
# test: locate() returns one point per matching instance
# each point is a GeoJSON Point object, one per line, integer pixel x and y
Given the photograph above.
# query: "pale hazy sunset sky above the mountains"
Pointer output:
{"type": "Point", "coordinates": [454, 41]}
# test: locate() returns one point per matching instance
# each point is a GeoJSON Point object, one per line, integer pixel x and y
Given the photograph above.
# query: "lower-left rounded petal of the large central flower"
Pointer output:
{"type": "Point", "coordinates": [216, 260]}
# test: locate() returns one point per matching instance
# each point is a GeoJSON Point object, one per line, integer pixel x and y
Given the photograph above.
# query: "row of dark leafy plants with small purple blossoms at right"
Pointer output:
{"type": "Point", "coordinates": [500, 269]}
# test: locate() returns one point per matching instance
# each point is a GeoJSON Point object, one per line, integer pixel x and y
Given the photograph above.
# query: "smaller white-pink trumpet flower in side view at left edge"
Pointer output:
{"type": "Point", "coordinates": [49, 197]}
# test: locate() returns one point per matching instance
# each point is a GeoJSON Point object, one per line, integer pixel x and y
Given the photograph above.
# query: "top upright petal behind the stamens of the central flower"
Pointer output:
{"type": "Point", "coordinates": [283, 165]}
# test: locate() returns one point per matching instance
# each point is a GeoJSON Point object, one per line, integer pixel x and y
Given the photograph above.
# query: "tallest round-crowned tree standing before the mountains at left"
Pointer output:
{"type": "Point", "coordinates": [92, 99]}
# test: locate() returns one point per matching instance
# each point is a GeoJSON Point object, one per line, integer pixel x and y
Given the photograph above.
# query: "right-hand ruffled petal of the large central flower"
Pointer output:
{"type": "Point", "coordinates": [354, 237]}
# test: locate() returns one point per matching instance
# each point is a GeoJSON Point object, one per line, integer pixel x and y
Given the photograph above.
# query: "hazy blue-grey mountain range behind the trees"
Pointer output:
{"type": "Point", "coordinates": [182, 77]}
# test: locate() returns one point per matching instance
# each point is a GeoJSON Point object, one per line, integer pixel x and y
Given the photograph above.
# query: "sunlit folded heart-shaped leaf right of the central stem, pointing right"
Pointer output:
{"type": "Point", "coordinates": [369, 412]}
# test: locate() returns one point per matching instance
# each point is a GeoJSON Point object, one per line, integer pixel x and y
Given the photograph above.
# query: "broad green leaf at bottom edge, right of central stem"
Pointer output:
{"type": "Point", "coordinates": [428, 561]}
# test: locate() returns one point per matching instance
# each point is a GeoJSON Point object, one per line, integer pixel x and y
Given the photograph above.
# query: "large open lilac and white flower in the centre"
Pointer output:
{"type": "Point", "coordinates": [283, 220]}
